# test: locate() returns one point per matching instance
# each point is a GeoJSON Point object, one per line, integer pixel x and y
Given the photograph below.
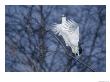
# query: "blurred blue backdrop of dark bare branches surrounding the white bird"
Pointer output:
{"type": "Point", "coordinates": [30, 47]}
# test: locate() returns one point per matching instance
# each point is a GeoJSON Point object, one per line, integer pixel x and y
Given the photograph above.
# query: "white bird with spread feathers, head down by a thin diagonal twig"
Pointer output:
{"type": "Point", "coordinates": [69, 30]}
